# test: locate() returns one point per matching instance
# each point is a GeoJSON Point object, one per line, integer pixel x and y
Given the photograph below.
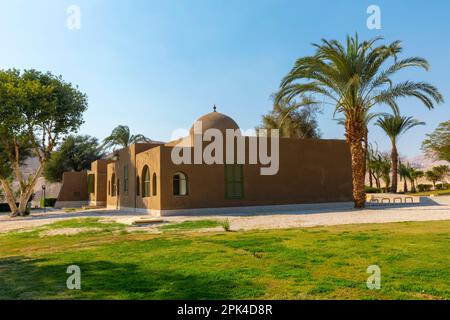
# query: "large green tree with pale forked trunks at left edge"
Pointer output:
{"type": "Point", "coordinates": [36, 111]}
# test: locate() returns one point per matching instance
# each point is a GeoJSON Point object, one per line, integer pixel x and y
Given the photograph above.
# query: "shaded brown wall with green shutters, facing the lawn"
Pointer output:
{"type": "Point", "coordinates": [310, 171]}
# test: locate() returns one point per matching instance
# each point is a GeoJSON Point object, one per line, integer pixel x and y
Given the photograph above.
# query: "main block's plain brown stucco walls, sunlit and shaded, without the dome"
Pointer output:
{"type": "Point", "coordinates": [311, 171]}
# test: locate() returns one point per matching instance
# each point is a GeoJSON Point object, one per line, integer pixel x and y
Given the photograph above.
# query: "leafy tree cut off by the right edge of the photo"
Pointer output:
{"type": "Point", "coordinates": [437, 143]}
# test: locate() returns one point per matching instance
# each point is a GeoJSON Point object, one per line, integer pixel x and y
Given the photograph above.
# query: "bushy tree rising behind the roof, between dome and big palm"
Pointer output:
{"type": "Point", "coordinates": [292, 122]}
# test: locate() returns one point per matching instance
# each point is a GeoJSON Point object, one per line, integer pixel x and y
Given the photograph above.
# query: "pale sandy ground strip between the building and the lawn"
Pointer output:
{"type": "Point", "coordinates": [432, 209]}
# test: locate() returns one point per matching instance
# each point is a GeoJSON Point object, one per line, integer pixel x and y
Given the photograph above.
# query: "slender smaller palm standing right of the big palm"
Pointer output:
{"type": "Point", "coordinates": [394, 126]}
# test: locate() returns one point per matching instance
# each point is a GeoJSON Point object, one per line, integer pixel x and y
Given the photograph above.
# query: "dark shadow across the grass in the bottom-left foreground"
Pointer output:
{"type": "Point", "coordinates": [23, 278]}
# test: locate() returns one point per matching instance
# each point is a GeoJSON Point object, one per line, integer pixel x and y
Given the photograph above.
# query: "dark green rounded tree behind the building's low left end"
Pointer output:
{"type": "Point", "coordinates": [76, 153]}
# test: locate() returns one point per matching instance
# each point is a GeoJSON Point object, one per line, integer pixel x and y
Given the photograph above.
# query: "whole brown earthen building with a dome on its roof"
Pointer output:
{"type": "Point", "coordinates": [144, 178]}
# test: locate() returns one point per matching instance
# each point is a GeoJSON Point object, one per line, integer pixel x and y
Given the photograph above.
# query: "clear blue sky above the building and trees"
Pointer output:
{"type": "Point", "coordinates": [158, 65]}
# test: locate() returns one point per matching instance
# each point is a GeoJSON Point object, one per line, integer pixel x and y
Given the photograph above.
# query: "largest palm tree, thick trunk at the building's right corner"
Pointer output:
{"type": "Point", "coordinates": [353, 78]}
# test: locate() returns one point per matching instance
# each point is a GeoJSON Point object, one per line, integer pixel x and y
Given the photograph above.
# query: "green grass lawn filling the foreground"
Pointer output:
{"type": "Point", "coordinates": [315, 263]}
